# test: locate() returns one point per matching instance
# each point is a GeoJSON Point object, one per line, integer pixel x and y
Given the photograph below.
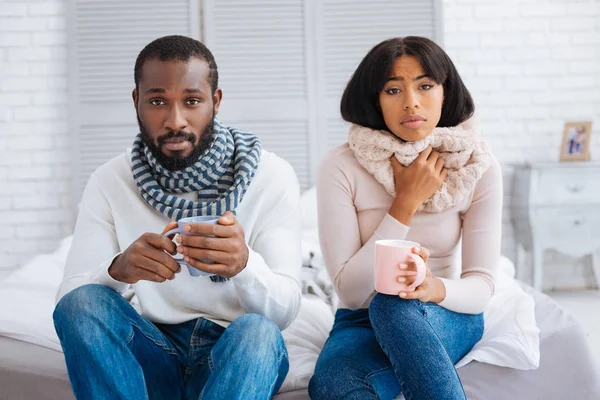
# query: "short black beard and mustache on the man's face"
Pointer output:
{"type": "Point", "coordinates": [177, 163]}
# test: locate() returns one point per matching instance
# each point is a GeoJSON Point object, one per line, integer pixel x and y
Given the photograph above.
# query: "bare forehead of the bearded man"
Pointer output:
{"type": "Point", "coordinates": [158, 73]}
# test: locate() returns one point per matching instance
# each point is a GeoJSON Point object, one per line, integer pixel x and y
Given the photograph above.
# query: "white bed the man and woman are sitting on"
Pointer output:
{"type": "Point", "coordinates": [32, 366]}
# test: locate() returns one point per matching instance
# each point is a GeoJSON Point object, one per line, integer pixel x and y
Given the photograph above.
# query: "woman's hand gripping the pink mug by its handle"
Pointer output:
{"type": "Point", "coordinates": [431, 290]}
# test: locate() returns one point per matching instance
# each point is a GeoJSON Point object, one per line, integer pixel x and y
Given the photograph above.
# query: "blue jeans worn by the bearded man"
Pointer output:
{"type": "Point", "coordinates": [114, 353]}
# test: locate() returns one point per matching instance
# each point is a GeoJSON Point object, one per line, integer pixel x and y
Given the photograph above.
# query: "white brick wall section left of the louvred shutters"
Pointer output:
{"type": "Point", "coordinates": [34, 153]}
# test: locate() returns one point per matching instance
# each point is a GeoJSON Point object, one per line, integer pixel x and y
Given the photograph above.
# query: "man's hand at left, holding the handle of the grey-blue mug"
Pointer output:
{"type": "Point", "coordinates": [146, 260]}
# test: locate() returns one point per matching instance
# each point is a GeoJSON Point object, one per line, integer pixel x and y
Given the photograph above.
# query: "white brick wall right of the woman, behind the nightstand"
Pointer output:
{"type": "Point", "coordinates": [531, 65]}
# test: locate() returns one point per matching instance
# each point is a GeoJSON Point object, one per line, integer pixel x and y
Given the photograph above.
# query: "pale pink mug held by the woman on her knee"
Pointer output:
{"type": "Point", "coordinates": [389, 254]}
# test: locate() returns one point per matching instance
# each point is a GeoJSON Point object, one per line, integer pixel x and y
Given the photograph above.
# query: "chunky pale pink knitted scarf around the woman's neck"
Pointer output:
{"type": "Point", "coordinates": [465, 155]}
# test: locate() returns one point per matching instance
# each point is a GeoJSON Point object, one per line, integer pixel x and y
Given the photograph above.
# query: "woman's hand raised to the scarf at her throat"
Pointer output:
{"type": "Point", "coordinates": [416, 183]}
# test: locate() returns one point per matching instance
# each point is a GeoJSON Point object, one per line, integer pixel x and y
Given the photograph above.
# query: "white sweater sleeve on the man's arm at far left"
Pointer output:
{"type": "Point", "coordinates": [94, 245]}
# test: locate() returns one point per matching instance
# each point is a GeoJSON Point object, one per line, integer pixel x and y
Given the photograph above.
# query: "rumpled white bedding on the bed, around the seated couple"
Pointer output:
{"type": "Point", "coordinates": [511, 336]}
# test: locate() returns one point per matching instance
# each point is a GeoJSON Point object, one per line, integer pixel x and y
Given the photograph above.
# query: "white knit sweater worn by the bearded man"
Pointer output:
{"type": "Point", "coordinates": [113, 215]}
